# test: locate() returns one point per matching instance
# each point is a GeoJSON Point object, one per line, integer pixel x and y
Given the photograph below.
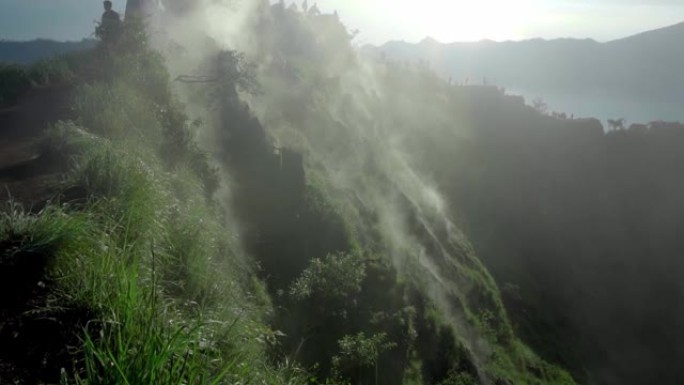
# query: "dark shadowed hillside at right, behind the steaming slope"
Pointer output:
{"type": "Point", "coordinates": [579, 229]}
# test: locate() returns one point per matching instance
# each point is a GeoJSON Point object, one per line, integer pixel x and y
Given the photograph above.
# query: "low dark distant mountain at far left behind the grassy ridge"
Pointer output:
{"type": "Point", "coordinates": [27, 52]}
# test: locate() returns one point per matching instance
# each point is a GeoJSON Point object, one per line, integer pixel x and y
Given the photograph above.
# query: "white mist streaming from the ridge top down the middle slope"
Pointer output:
{"type": "Point", "coordinates": [350, 119]}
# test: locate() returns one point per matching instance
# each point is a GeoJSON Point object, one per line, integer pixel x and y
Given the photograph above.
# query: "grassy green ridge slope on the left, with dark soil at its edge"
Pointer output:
{"type": "Point", "coordinates": [108, 248]}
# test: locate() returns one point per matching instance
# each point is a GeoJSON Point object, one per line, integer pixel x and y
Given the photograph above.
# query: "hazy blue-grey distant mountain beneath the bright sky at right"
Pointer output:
{"type": "Point", "coordinates": [642, 69]}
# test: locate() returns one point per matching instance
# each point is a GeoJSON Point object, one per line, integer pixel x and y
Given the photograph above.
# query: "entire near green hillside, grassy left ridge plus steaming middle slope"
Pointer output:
{"type": "Point", "coordinates": [304, 247]}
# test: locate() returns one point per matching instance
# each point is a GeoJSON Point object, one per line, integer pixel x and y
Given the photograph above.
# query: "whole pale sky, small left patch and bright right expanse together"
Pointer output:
{"type": "Point", "coordinates": [381, 20]}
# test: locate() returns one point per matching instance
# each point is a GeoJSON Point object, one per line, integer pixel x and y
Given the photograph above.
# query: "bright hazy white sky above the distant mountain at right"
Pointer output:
{"type": "Point", "coordinates": [459, 20]}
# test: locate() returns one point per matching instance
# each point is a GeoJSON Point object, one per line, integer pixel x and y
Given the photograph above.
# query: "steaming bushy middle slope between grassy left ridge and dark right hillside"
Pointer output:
{"type": "Point", "coordinates": [423, 285]}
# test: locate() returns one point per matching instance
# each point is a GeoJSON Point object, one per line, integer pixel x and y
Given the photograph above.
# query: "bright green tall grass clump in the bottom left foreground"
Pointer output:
{"type": "Point", "coordinates": [139, 338]}
